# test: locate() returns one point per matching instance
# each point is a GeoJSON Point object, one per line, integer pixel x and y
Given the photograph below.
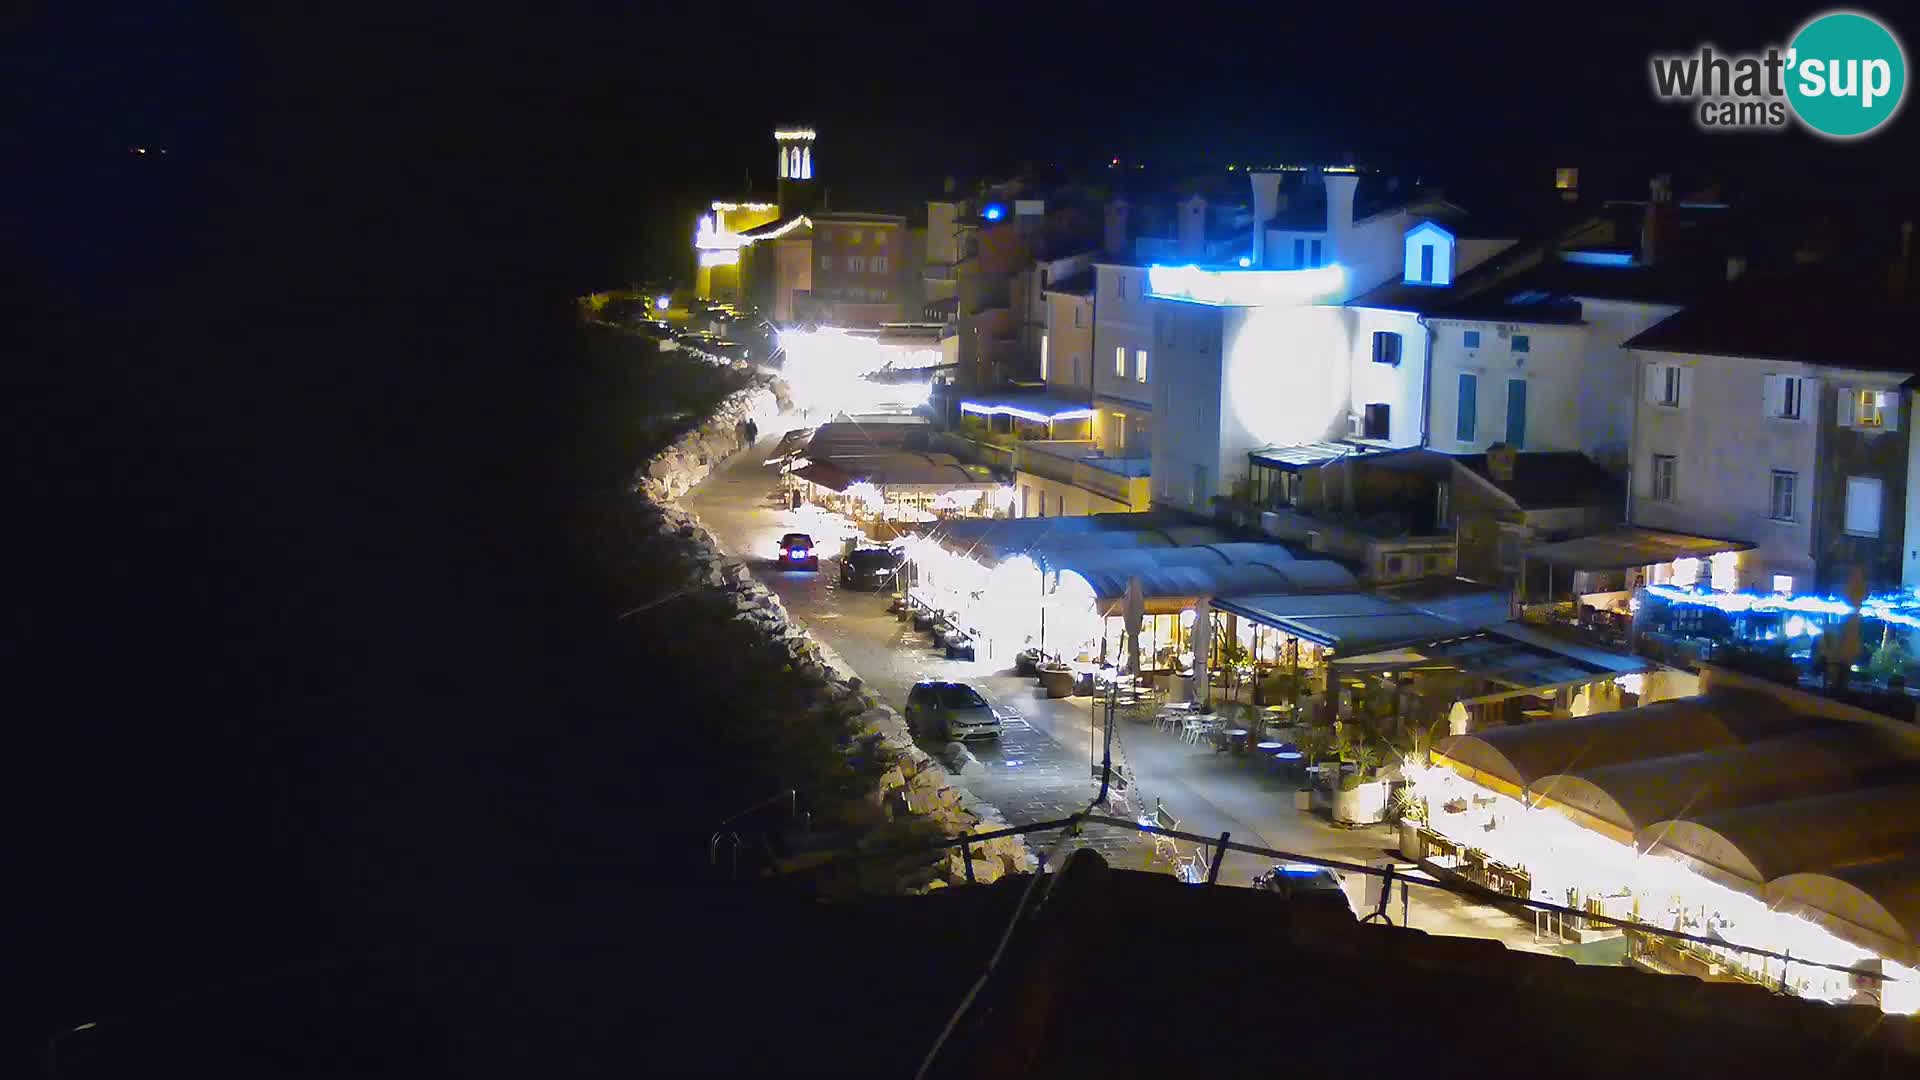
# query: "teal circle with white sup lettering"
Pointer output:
{"type": "Point", "coordinates": [1846, 76]}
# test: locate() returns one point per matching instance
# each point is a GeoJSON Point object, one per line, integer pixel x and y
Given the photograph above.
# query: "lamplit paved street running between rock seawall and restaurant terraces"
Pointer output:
{"type": "Point", "coordinates": [1044, 764]}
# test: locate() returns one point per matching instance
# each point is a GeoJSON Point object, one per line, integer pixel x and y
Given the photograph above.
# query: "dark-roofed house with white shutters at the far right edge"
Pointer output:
{"type": "Point", "coordinates": [1765, 420]}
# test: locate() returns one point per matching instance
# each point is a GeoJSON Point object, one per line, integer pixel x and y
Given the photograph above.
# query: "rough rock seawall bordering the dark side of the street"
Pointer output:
{"type": "Point", "coordinates": [913, 787]}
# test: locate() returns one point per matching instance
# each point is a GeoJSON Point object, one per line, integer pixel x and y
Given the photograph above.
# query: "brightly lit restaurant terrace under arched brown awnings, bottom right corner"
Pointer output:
{"type": "Point", "coordinates": [1518, 812]}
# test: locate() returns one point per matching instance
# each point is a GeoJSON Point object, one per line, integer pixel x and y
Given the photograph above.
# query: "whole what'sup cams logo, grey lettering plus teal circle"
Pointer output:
{"type": "Point", "coordinates": [1842, 76]}
